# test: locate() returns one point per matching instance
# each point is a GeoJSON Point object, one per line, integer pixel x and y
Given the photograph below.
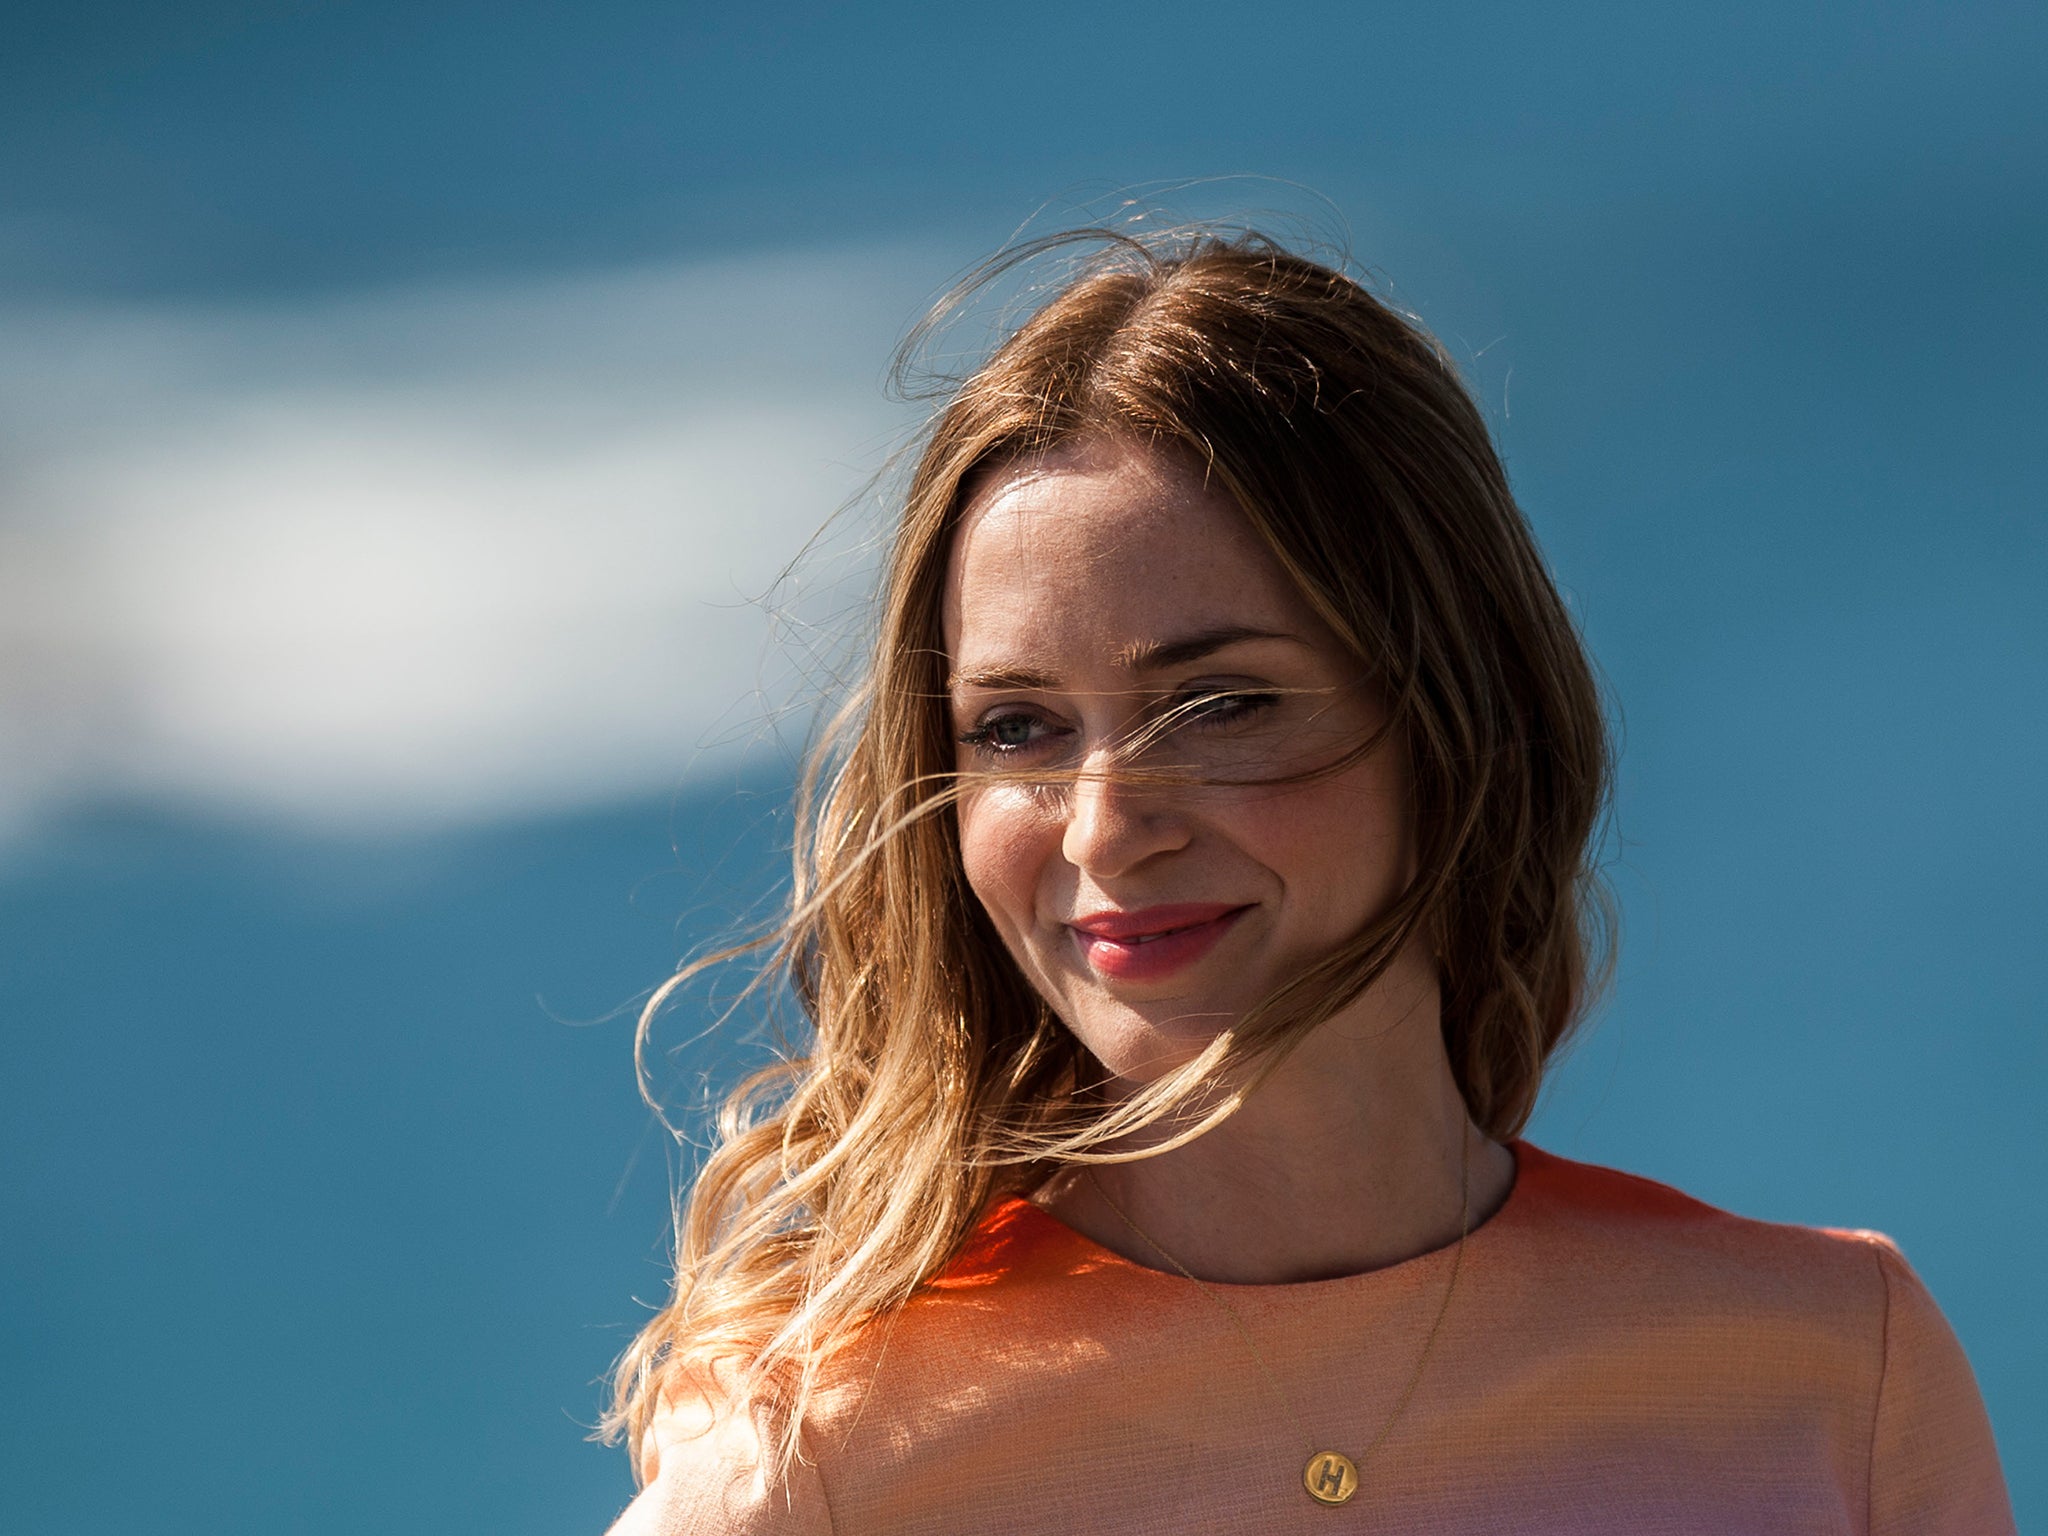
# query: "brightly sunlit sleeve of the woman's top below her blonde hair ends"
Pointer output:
{"type": "Point", "coordinates": [710, 1478]}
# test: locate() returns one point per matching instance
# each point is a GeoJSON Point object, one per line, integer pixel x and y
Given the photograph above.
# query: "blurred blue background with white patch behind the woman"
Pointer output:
{"type": "Point", "coordinates": [409, 415]}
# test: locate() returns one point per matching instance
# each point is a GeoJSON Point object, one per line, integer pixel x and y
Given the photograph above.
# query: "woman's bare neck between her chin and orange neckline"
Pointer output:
{"type": "Point", "coordinates": [1345, 1160]}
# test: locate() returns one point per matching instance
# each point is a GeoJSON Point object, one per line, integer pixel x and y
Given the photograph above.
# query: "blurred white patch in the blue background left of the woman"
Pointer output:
{"type": "Point", "coordinates": [431, 556]}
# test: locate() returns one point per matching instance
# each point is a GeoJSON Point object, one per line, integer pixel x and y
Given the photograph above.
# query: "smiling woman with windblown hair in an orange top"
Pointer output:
{"type": "Point", "coordinates": [1185, 927]}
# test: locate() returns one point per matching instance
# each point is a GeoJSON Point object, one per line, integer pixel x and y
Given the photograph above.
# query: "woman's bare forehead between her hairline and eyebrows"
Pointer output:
{"type": "Point", "coordinates": [1103, 546]}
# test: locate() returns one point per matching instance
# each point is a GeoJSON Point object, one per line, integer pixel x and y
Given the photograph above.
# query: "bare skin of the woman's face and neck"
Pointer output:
{"type": "Point", "coordinates": [1105, 593]}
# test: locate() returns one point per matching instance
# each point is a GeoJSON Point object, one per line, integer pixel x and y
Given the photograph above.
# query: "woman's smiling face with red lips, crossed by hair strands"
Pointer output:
{"type": "Point", "coordinates": [1101, 591]}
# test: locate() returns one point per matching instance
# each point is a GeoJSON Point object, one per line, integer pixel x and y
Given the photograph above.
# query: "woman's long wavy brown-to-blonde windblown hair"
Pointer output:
{"type": "Point", "coordinates": [935, 1076]}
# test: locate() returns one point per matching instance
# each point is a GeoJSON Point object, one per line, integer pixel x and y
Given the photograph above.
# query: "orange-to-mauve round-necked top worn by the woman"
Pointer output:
{"type": "Point", "coordinates": [1617, 1359]}
